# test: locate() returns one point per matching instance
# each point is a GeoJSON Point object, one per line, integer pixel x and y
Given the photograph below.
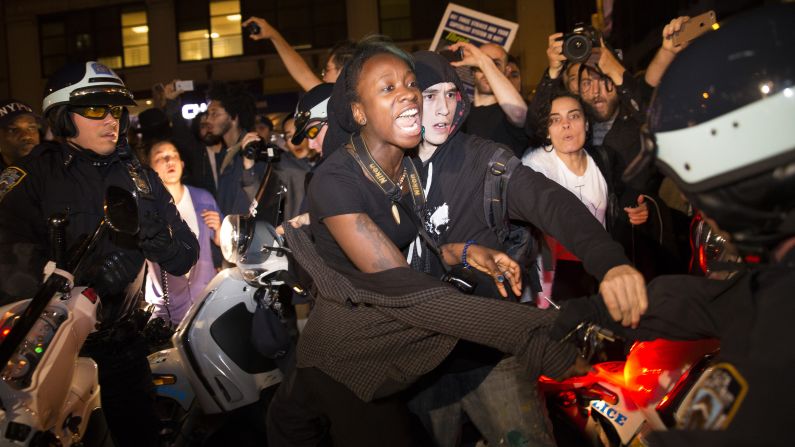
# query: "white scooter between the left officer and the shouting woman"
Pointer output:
{"type": "Point", "coordinates": [214, 367]}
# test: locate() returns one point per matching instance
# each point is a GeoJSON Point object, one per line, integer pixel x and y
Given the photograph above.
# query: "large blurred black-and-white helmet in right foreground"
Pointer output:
{"type": "Point", "coordinates": [721, 127]}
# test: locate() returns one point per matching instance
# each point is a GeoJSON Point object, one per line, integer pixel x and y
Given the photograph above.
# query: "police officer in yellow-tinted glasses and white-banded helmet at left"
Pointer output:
{"type": "Point", "coordinates": [85, 105]}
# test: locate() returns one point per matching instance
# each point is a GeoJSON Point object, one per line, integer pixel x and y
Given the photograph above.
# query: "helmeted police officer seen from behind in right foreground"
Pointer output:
{"type": "Point", "coordinates": [721, 128]}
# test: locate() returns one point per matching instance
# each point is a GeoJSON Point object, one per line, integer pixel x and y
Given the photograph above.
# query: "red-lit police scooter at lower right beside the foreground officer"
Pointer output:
{"type": "Point", "coordinates": [620, 402]}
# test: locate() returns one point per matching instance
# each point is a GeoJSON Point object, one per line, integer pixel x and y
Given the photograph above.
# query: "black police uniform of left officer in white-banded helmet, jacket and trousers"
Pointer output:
{"type": "Point", "coordinates": [61, 178]}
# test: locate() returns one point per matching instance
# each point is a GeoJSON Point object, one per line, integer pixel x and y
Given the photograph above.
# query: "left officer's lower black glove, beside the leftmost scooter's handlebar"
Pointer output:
{"type": "Point", "coordinates": [112, 274]}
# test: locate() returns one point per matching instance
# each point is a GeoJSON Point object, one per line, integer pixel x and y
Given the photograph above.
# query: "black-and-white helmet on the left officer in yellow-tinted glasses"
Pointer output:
{"type": "Point", "coordinates": [83, 84]}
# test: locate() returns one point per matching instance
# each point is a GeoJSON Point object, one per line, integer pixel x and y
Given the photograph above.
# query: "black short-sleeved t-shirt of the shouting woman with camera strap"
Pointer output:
{"type": "Point", "coordinates": [339, 186]}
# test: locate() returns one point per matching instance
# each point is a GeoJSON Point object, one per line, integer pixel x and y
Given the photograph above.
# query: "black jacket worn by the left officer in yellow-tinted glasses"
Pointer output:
{"type": "Point", "coordinates": [60, 178]}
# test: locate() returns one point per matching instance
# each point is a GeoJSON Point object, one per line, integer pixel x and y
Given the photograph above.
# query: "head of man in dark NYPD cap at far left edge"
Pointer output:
{"type": "Point", "coordinates": [19, 131]}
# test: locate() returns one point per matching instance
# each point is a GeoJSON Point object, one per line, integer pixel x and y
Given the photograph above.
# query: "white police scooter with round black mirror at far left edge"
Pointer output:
{"type": "Point", "coordinates": [50, 395]}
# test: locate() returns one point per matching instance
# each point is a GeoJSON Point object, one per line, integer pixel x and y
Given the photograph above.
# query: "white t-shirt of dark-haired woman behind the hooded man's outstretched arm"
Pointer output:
{"type": "Point", "coordinates": [590, 188]}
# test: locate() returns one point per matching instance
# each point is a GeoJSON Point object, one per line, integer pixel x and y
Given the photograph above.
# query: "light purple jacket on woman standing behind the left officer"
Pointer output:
{"type": "Point", "coordinates": [183, 291]}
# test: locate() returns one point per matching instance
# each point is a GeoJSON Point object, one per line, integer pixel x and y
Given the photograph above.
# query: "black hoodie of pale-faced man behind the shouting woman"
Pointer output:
{"type": "Point", "coordinates": [454, 178]}
